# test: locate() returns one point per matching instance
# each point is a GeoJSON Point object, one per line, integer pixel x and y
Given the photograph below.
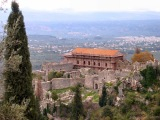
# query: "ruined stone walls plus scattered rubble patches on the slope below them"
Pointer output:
{"type": "Point", "coordinates": [128, 74]}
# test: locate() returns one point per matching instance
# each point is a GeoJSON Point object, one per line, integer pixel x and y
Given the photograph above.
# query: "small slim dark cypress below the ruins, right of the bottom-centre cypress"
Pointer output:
{"type": "Point", "coordinates": [103, 97]}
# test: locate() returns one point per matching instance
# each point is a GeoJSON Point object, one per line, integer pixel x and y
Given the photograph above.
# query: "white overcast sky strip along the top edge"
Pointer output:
{"type": "Point", "coordinates": [89, 5]}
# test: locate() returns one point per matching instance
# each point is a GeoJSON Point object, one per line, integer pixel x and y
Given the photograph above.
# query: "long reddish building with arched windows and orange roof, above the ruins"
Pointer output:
{"type": "Point", "coordinates": [94, 58]}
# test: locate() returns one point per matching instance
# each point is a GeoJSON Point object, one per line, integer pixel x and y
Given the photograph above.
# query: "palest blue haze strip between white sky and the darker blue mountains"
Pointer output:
{"type": "Point", "coordinates": [97, 16]}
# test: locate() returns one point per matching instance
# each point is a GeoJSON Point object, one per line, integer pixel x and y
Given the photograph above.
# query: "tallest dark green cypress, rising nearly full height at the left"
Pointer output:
{"type": "Point", "coordinates": [17, 66]}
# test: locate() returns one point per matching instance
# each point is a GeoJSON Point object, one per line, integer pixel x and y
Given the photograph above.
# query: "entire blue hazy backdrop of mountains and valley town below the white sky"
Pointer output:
{"type": "Point", "coordinates": [58, 33]}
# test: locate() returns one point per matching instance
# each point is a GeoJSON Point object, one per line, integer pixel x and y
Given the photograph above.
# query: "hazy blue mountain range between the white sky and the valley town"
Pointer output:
{"type": "Point", "coordinates": [71, 24]}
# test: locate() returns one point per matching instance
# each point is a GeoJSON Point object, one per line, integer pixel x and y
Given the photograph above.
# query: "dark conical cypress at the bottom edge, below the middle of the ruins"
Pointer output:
{"type": "Point", "coordinates": [77, 106]}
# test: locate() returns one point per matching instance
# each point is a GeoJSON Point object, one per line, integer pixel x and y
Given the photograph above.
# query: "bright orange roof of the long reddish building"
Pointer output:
{"type": "Point", "coordinates": [96, 52]}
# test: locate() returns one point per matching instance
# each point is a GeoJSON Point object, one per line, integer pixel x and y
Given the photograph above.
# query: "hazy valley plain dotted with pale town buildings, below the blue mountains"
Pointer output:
{"type": "Point", "coordinates": [49, 48]}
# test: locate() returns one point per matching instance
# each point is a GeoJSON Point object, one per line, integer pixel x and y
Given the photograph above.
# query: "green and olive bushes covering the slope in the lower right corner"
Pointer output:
{"type": "Point", "coordinates": [136, 104]}
